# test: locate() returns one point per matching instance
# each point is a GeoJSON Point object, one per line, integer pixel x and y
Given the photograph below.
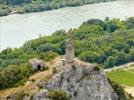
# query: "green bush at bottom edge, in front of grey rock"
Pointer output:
{"type": "Point", "coordinates": [58, 95]}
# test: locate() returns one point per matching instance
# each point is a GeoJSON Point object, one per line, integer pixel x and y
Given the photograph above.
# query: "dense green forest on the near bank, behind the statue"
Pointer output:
{"type": "Point", "coordinates": [109, 43]}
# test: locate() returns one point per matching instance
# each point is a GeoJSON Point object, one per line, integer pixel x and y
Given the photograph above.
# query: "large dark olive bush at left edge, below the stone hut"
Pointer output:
{"type": "Point", "coordinates": [14, 76]}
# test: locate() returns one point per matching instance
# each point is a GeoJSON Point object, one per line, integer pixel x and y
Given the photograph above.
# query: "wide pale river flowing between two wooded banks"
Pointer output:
{"type": "Point", "coordinates": [16, 29]}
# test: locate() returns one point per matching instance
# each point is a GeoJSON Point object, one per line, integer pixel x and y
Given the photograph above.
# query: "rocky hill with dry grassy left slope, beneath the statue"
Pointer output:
{"type": "Point", "coordinates": [80, 79]}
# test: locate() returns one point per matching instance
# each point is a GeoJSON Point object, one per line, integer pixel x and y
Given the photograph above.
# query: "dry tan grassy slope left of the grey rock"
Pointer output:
{"type": "Point", "coordinates": [33, 82]}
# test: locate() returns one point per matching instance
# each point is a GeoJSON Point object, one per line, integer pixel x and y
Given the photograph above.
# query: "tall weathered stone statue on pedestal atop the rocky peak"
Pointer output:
{"type": "Point", "coordinates": [69, 50]}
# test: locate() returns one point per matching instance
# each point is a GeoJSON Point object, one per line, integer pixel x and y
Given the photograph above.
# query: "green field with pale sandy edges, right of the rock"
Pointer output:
{"type": "Point", "coordinates": [125, 77]}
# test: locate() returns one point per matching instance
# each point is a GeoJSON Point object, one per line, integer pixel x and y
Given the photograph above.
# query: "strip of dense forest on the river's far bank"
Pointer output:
{"type": "Point", "coordinates": [26, 6]}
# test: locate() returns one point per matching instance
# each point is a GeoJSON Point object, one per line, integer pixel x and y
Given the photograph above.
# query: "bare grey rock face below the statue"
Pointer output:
{"type": "Point", "coordinates": [81, 81]}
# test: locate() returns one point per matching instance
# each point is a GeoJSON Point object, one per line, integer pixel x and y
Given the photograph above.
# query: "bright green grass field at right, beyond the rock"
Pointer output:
{"type": "Point", "coordinates": [123, 77]}
